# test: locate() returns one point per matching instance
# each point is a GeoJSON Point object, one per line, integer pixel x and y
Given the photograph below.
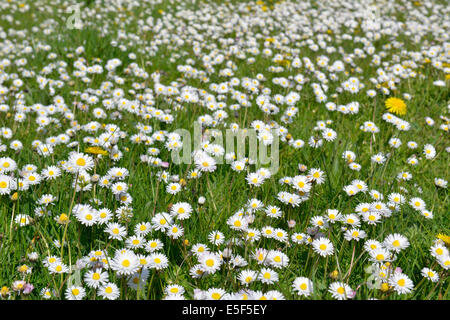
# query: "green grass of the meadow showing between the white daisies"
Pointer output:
{"type": "Point", "coordinates": [226, 191]}
